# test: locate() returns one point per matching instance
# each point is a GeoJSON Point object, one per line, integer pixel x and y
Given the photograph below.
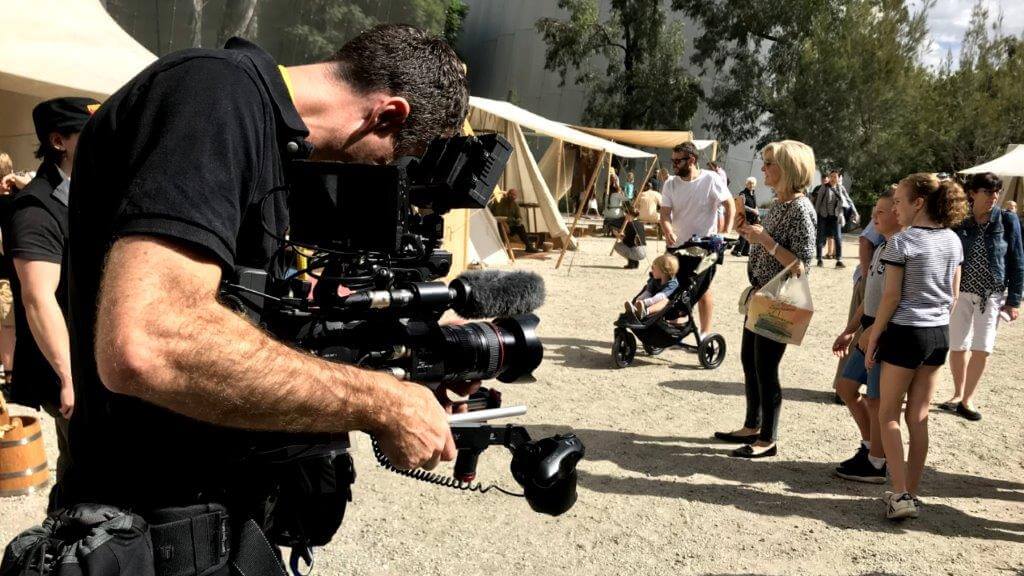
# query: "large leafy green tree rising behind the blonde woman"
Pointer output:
{"type": "Point", "coordinates": [843, 76]}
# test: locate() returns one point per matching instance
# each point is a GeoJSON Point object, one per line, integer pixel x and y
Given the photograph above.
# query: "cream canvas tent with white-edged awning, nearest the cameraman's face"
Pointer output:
{"type": "Point", "coordinates": [523, 173]}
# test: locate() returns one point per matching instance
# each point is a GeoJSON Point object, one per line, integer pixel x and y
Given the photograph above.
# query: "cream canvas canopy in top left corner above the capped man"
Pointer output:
{"type": "Point", "coordinates": [54, 49]}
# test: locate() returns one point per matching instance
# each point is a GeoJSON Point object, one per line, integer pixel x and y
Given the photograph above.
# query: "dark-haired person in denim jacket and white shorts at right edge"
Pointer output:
{"type": "Point", "coordinates": [991, 289]}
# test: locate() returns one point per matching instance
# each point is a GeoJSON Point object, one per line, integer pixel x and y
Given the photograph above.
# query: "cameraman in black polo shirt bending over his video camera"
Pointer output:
{"type": "Point", "coordinates": [174, 389]}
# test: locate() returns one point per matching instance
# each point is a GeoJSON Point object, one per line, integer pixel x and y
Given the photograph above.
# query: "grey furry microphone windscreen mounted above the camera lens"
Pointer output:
{"type": "Point", "coordinates": [496, 294]}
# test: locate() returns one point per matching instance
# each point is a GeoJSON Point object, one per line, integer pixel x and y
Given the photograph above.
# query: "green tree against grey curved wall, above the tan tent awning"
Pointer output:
{"type": "Point", "coordinates": [644, 84]}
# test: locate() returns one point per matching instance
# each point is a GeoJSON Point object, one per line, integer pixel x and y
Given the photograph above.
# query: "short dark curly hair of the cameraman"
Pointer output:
{"type": "Point", "coordinates": [407, 62]}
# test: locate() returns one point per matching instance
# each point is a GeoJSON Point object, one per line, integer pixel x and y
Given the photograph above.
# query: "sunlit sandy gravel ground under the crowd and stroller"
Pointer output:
{"type": "Point", "coordinates": [657, 497]}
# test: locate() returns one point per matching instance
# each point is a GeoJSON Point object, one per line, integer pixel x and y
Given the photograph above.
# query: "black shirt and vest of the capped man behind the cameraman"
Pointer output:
{"type": "Point", "coordinates": [36, 231]}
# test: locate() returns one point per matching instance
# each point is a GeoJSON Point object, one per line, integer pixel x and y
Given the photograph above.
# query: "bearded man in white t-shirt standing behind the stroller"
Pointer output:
{"type": "Point", "coordinates": [691, 202]}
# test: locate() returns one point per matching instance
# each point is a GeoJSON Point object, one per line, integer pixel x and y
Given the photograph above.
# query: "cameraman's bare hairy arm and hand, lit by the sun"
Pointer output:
{"type": "Point", "coordinates": [163, 337]}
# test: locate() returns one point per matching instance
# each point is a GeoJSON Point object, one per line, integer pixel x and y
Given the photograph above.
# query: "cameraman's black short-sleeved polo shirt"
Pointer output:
{"type": "Point", "coordinates": [186, 151]}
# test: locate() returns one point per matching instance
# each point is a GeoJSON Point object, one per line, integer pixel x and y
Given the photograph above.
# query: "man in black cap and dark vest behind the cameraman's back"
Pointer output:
{"type": "Point", "coordinates": [35, 239]}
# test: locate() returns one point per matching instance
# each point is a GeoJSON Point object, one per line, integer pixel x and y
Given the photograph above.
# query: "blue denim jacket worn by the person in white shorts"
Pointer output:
{"type": "Point", "coordinates": [1003, 243]}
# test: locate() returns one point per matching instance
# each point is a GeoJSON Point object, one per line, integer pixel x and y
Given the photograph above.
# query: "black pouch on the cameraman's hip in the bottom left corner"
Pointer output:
{"type": "Point", "coordinates": [82, 541]}
